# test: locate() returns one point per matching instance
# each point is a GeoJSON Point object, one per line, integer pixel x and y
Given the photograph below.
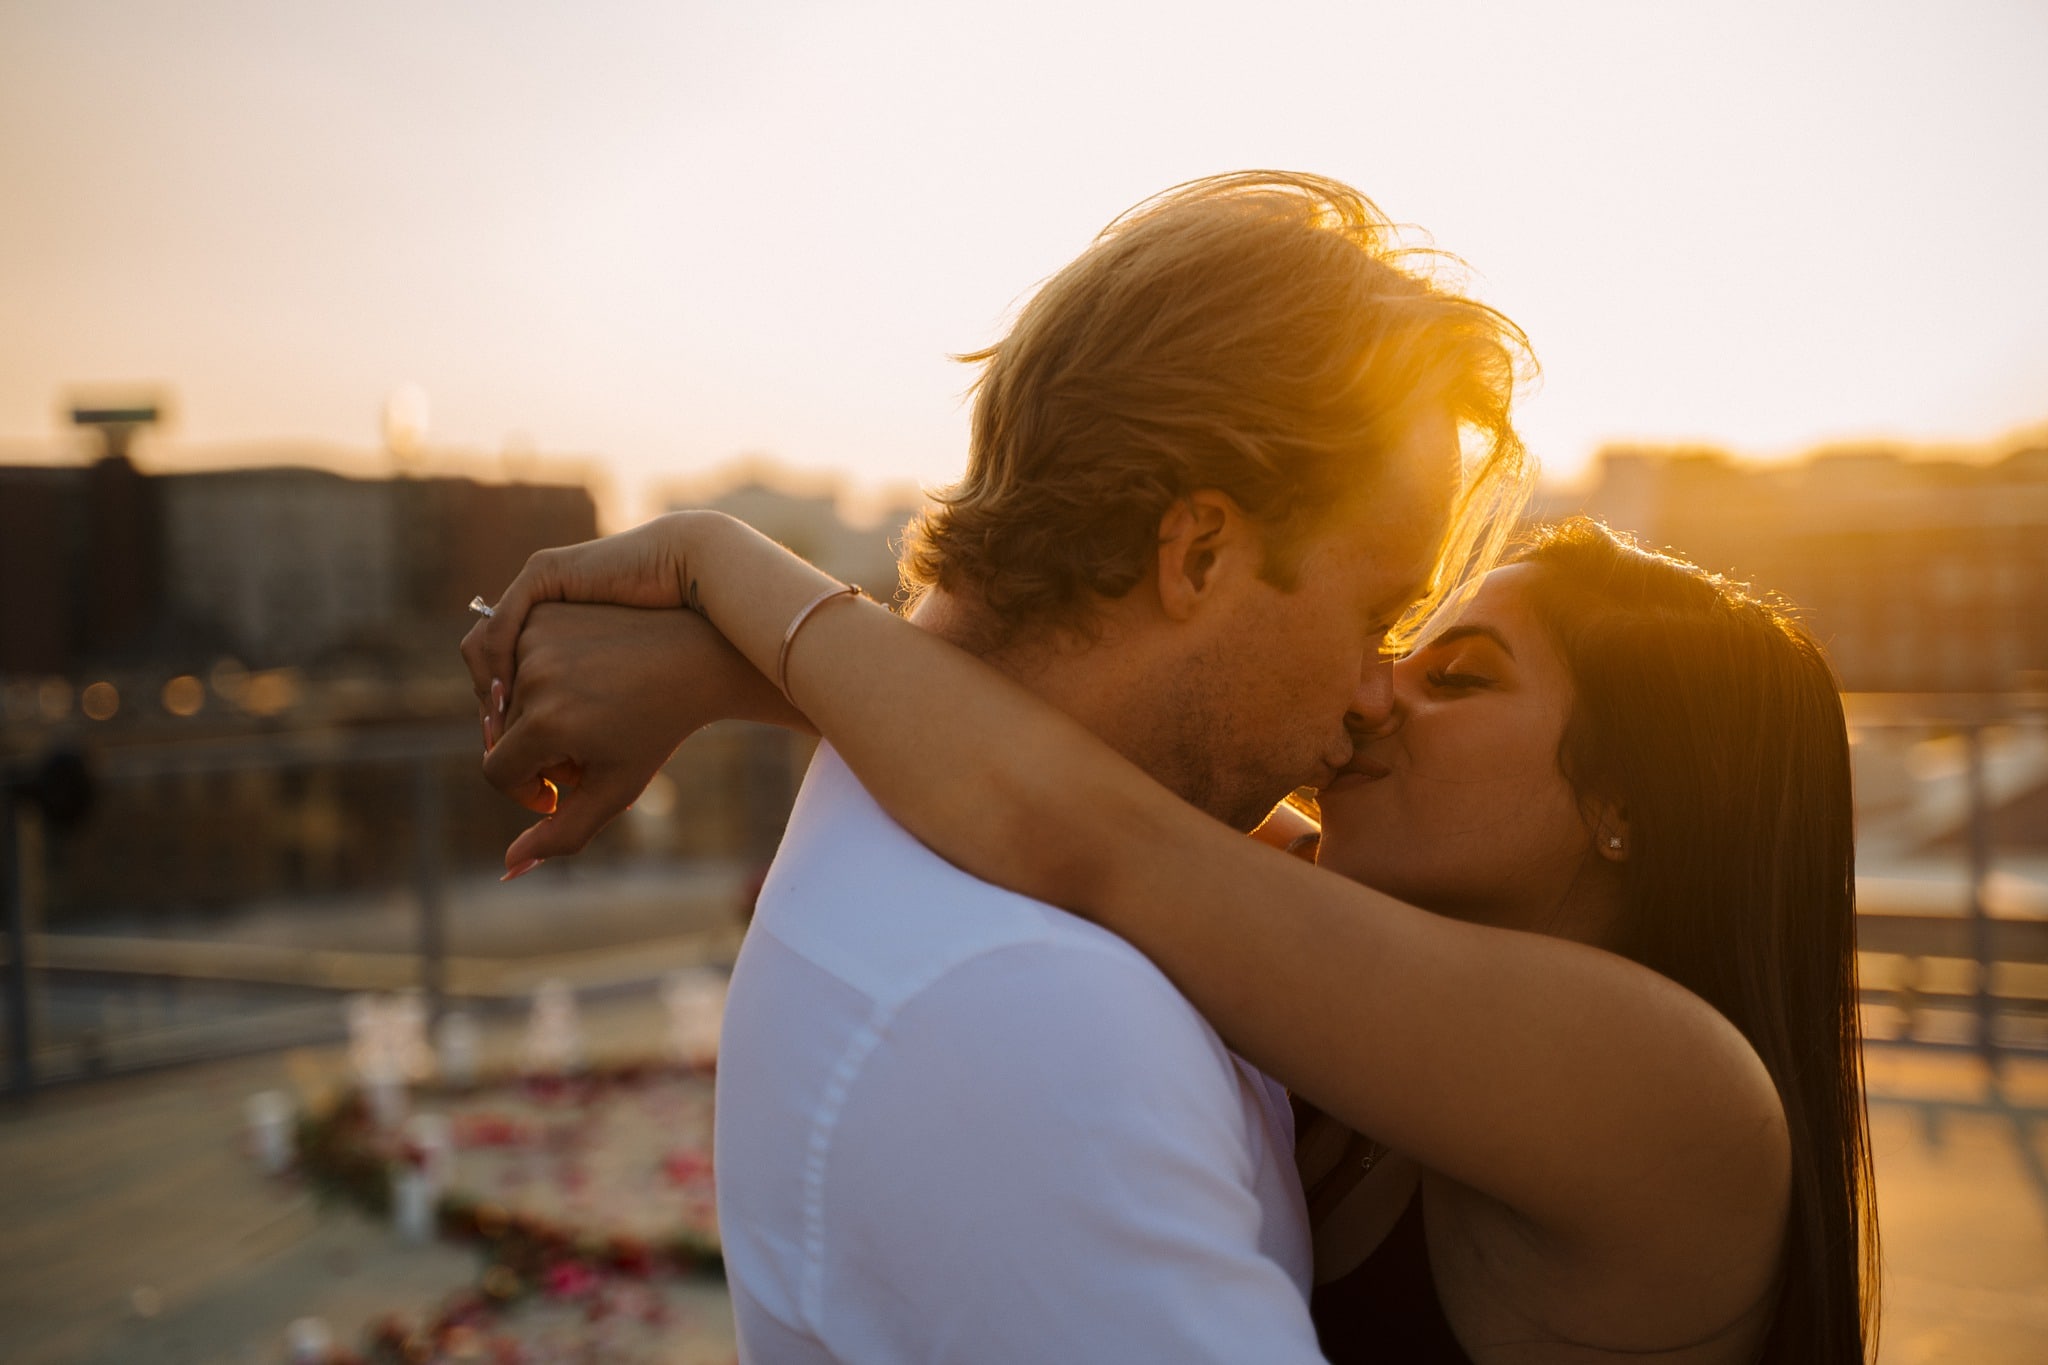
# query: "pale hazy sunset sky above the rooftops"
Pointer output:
{"type": "Point", "coordinates": [671, 234]}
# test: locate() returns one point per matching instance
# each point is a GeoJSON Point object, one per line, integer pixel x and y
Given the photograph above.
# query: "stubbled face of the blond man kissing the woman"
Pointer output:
{"type": "Point", "coordinates": [1261, 703]}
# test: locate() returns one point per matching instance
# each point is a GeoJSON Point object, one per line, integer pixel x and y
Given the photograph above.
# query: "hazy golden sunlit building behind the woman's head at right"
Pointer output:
{"type": "Point", "coordinates": [1918, 574]}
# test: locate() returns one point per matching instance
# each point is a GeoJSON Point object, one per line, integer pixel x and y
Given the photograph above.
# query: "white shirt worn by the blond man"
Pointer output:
{"type": "Point", "coordinates": [964, 1127]}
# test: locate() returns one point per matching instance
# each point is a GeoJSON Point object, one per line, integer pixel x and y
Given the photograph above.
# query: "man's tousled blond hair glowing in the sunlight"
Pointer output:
{"type": "Point", "coordinates": [1263, 335]}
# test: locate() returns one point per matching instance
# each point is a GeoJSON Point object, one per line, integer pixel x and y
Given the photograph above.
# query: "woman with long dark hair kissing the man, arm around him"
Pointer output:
{"type": "Point", "coordinates": [1574, 1024]}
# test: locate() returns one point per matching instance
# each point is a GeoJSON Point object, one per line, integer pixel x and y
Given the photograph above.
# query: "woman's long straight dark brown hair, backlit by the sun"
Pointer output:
{"type": "Point", "coordinates": [1713, 717]}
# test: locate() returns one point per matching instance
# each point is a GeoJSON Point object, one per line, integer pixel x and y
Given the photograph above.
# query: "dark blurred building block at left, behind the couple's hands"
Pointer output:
{"type": "Point", "coordinates": [278, 568]}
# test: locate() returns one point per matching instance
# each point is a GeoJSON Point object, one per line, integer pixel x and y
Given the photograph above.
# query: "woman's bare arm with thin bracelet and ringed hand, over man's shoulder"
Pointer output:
{"type": "Point", "coordinates": [1584, 1092]}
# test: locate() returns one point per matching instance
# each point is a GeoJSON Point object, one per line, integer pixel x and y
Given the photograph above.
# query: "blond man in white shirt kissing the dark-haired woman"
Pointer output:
{"type": "Point", "coordinates": [1215, 464]}
